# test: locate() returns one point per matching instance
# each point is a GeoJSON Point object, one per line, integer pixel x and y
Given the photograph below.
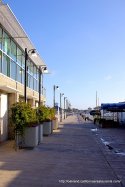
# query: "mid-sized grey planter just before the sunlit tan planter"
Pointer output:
{"type": "Point", "coordinates": [47, 128]}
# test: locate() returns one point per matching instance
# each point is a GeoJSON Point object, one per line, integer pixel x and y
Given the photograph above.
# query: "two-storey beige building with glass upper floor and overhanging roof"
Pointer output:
{"type": "Point", "coordinates": [13, 43]}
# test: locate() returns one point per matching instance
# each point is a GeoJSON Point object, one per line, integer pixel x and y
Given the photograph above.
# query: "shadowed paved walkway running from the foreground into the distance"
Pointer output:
{"type": "Point", "coordinates": [75, 155]}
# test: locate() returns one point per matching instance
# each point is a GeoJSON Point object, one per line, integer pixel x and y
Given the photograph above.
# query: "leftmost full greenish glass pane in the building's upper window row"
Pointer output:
{"type": "Point", "coordinates": [6, 43]}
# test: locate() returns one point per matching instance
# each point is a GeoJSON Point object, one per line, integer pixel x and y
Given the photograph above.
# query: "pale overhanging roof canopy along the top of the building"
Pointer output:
{"type": "Point", "coordinates": [13, 27]}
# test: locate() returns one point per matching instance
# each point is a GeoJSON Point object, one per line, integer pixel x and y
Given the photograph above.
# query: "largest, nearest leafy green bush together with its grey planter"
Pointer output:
{"type": "Point", "coordinates": [25, 120]}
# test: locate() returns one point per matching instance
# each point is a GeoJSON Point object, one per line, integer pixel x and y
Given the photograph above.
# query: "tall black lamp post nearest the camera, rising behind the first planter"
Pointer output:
{"type": "Point", "coordinates": [33, 53]}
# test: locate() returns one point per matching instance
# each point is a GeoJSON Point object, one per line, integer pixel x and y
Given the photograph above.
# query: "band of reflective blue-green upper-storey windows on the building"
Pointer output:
{"type": "Point", "coordinates": [12, 62]}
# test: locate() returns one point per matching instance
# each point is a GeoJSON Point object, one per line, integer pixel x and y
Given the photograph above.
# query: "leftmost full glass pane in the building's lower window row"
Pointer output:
{"type": "Point", "coordinates": [6, 65]}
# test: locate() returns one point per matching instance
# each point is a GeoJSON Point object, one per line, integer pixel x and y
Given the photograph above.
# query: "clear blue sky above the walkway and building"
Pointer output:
{"type": "Point", "coordinates": [83, 44]}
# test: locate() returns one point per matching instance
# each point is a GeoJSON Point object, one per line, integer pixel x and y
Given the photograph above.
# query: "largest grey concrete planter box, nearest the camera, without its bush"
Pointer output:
{"type": "Point", "coordinates": [31, 136]}
